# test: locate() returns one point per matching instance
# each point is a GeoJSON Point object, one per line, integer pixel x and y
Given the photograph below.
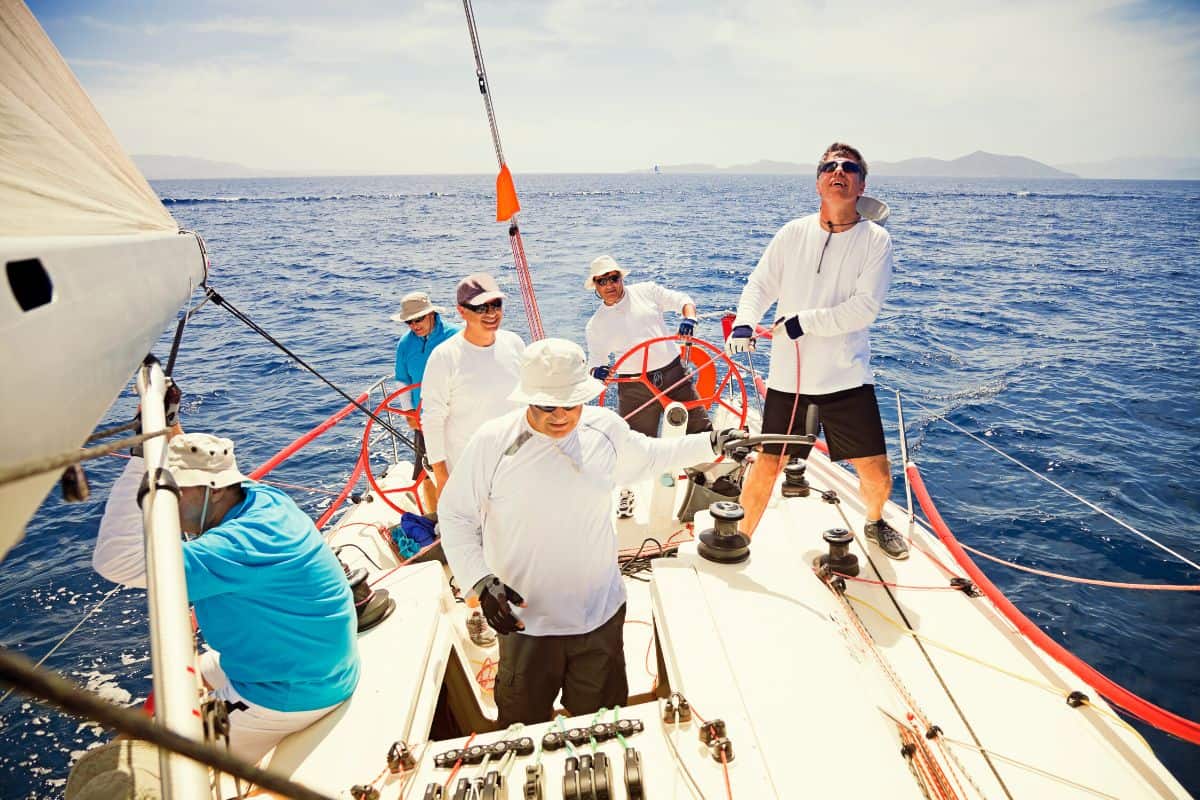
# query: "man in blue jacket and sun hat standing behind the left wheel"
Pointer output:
{"type": "Point", "coordinates": [427, 330]}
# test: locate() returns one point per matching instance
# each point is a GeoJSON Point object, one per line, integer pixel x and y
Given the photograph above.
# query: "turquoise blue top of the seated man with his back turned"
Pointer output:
{"type": "Point", "coordinates": [273, 600]}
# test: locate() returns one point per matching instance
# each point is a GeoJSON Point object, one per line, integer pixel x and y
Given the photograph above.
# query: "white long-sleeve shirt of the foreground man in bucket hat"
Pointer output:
{"type": "Point", "coordinates": [537, 513]}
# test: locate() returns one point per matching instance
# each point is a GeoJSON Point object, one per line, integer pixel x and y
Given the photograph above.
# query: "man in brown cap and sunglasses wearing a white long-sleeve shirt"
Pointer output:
{"type": "Point", "coordinates": [470, 376]}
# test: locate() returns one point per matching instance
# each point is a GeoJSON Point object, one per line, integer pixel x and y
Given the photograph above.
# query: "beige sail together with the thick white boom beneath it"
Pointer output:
{"type": "Point", "coordinates": [95, 267]}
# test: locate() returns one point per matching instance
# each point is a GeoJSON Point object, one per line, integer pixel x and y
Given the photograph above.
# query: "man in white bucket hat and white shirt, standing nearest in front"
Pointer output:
{"type": "Point", "coordinates": [527, 522]}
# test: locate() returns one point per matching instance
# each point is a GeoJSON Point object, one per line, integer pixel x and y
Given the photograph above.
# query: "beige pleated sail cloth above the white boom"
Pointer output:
{"type": "Point", "coordinates": [62, 170]}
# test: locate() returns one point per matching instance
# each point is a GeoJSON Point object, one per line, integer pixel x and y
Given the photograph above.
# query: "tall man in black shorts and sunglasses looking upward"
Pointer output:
{"type": "Point", "coordinates": [830, 273]}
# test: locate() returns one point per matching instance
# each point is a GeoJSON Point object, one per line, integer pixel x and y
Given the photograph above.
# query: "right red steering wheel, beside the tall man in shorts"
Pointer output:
{"type": "Point", "coordinates": [703, 358]}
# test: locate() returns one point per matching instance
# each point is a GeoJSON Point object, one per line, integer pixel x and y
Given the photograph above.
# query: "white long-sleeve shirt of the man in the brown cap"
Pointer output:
{"type": "Point", "coordinates": [464, 387]}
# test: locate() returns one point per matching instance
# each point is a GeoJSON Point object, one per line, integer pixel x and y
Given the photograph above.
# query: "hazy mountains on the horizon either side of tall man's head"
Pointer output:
{"type": "Point", "coordinates": [977, 165]}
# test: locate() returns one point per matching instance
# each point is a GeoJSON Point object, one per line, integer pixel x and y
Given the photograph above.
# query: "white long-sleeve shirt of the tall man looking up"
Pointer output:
{"type": "Point", "coordinates": [836, 306]}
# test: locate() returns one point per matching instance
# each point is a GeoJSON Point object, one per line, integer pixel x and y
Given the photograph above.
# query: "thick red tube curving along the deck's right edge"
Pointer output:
{"type": "Point", "coordinates": [1115, 694]}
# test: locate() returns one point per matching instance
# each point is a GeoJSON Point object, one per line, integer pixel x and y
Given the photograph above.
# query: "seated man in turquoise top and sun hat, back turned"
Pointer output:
{"type": "Point", "coordinates": [269, 596]}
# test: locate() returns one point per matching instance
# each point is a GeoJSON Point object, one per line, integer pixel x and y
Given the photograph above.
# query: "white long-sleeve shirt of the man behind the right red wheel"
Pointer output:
{"type": "Point", "coordinates": [633, 320]}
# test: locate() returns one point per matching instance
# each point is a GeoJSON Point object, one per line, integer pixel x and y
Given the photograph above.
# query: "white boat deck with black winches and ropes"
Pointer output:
{"type": "Point", "coordinates": [773, 652]}
